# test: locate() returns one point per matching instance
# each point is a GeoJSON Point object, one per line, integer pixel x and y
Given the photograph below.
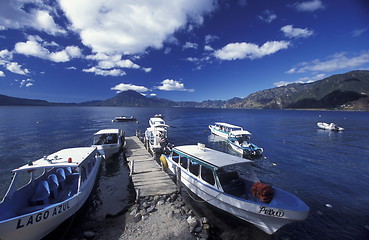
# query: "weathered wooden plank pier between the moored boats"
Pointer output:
{"type": "Point", "coordinates": [147, 177]}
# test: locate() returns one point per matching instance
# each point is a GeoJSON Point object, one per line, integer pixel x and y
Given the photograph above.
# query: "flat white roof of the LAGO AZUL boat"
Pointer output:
{"type": "Point", "coordinates": [60, 159]}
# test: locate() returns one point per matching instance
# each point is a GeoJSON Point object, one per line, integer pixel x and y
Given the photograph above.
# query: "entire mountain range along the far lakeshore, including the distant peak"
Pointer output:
{"type": "Point", "coordinates": [347, 91]}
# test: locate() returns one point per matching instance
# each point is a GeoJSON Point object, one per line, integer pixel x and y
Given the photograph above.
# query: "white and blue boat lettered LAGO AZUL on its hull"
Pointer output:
{"type": "Point", "coordinates": [58, 185]}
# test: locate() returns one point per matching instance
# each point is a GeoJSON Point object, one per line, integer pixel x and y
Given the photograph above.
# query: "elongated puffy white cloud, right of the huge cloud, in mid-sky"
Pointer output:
{"type": "Point", "coordinates": [244, 50]}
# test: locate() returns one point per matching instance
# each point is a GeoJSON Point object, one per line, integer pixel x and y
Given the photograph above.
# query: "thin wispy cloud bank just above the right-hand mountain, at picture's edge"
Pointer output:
{"type": "Point", "coordinates": [335, 62]}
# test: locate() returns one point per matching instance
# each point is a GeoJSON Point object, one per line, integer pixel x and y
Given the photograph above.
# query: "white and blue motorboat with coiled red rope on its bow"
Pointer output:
{"type": "Point", "coordinates": [229, 183]}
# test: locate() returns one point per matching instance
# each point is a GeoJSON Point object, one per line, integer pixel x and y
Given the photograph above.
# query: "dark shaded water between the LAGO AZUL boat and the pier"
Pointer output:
{"type": "Point", "coordinates": [103, 212]}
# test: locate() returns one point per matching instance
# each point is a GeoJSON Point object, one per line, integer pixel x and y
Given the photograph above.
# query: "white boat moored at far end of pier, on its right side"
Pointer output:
{"type": "Point", "coordinates": [156, 136]}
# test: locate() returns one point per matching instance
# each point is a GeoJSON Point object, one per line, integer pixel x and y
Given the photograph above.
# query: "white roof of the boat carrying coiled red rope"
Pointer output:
{"type": "Point", "coordinates": [210, 156]}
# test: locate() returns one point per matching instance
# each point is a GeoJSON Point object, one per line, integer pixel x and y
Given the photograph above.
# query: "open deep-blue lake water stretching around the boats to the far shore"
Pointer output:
{"type": "Point", "coordinates": [323, 168]}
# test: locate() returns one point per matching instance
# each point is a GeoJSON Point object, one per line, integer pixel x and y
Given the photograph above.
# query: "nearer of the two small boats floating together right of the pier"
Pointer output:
{"type": "Point", "coordinates": [239, 142]}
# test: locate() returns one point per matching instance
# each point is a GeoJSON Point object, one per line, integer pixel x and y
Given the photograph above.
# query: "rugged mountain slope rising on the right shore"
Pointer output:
{"type": "Point", "coordinates": [343, 91]}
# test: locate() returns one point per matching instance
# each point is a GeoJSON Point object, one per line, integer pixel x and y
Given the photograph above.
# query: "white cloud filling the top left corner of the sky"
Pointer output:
{"type": "Point", "coordinates": [18, 14]}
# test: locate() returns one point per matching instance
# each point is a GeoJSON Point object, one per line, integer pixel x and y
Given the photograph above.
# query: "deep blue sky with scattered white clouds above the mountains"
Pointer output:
{"type": "Point", "coordinates": [183, 50]}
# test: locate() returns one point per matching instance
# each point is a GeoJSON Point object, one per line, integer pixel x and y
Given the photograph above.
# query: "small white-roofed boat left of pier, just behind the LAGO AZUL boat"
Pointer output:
{"type": "Point", "coordinates": [109, 141]}
